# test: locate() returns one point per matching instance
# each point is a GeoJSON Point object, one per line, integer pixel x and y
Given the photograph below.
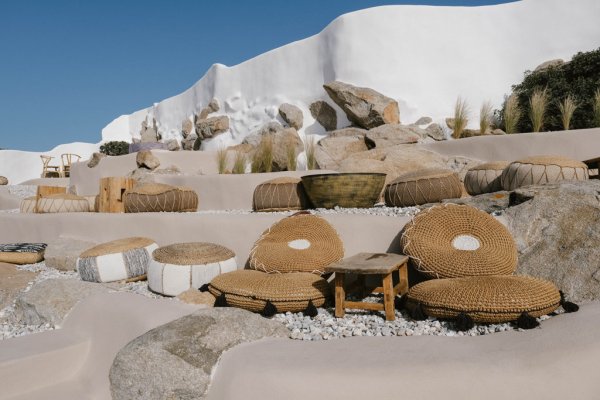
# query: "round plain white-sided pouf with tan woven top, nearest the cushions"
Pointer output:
{"type": "Point", "coordinates": [179, 267]}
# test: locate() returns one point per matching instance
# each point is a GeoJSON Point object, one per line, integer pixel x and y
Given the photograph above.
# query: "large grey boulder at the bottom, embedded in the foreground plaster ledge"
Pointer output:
{"type": "Point", "coordinates": [176, 360]}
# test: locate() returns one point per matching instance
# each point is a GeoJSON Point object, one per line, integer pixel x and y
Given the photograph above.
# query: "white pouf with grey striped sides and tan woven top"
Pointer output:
{"type": "Point", "coordinates": [122, 259]}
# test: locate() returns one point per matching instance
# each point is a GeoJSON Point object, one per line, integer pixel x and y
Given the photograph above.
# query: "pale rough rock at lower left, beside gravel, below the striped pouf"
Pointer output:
{"type": "Point", "coordinates": [51, 300]}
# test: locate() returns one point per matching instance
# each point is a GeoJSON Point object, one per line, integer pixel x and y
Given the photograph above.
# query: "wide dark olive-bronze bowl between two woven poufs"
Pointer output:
{"type": "Point", "coordinates": [351, 190]}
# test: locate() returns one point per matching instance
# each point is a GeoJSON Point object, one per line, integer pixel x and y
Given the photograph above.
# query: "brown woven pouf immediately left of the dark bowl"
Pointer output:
{"type": "Point", "coordinates": [280, 194]}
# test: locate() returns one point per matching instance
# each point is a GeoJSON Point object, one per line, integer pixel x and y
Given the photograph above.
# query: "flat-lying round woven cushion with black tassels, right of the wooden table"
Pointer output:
{"type": "Point", "coordinates": [486, 299]}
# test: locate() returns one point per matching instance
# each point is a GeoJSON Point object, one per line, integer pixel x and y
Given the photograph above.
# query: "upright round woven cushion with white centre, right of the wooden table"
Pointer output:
{"type": "Point", "coordinates": [452, 241]}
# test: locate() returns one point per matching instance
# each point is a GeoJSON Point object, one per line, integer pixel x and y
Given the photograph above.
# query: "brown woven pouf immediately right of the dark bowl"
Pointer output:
{"type": "Point", "coordinates": [422, 187]}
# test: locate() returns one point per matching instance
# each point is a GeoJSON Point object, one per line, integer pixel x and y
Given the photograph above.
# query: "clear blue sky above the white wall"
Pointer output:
{"type": "Point", "coordinates": [68, 68]}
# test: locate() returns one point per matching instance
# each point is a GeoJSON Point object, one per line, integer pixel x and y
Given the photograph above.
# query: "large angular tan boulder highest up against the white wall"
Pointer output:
{"type": "Point", "coordinates": [363, 106]}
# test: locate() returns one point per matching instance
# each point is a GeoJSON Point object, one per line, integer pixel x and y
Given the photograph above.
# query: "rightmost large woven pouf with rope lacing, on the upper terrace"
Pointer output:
{"type": "Point", "coordinates": [542, 169]}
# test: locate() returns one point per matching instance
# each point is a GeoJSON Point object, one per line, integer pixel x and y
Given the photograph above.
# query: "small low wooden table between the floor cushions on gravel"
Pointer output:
{"type": "Point", "coordinates": [362, 264]}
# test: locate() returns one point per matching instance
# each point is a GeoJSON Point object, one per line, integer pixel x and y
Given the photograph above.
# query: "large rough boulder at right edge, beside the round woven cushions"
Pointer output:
{"type": "Point", "coordinates": [557, 231]}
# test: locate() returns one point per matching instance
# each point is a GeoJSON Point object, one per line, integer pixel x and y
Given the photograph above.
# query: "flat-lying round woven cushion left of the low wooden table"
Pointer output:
{"type": "Point", "coordinates": [251, 290]}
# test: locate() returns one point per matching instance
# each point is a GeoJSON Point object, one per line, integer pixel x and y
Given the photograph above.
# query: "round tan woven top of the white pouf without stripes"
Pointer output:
{"type": "Point", "coordinates": [195, 253]}
